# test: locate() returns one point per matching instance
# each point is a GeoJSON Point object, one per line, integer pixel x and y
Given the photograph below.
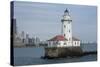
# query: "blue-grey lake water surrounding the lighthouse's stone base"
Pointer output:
{"type": "Point", "coordinates": [31, 56]}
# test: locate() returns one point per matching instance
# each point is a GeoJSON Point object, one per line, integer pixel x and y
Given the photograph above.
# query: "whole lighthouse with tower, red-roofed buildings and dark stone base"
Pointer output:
{"type": "Point", "coordinates": [64, 44]}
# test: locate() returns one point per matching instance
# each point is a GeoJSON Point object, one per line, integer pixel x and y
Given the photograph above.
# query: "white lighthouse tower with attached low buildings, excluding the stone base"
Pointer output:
{"type": "Point", "coordinates": [65, 39]}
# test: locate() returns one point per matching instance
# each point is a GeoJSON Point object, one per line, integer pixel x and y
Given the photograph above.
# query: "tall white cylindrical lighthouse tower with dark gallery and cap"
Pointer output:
{"type": "Point", "coordinates": [67, 27]}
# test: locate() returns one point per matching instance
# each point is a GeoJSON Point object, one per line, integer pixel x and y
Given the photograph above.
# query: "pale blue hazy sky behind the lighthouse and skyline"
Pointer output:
{"type": "Point", "coordinates": [43, 20]}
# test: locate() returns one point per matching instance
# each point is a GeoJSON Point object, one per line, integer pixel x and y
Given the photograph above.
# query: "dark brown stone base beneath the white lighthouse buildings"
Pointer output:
{"type": "Point", "coordinates": [60, 52]}
